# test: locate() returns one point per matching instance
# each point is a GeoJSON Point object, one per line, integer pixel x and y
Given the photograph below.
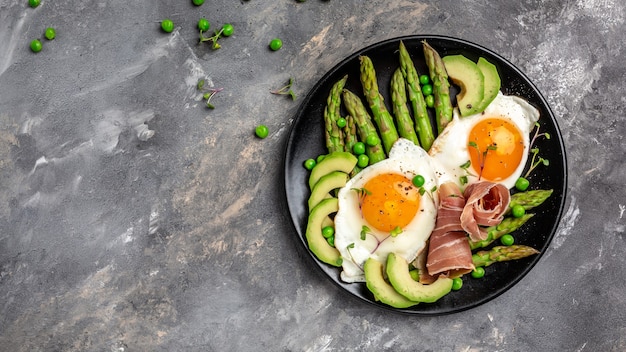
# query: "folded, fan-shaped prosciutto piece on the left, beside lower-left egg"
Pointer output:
{"type": "Point", "coordinates": [449, 253]}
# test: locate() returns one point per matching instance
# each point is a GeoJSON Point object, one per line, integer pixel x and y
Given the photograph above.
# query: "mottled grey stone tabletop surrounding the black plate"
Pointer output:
{"type": "Point", "coordinates": [180, 243]}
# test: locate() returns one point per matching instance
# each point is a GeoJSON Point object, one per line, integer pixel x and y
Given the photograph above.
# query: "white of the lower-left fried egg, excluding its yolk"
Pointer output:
{"type": "Point", "coordinates": [404, 158]}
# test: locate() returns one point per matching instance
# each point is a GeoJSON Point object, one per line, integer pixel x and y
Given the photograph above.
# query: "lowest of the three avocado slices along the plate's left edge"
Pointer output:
{"type": "Point", "coordinates": [316, 241]}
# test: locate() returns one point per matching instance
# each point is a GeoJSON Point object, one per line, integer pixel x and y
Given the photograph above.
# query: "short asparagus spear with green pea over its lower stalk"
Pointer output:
{"type": "Point", "coordinates": [364, 125]}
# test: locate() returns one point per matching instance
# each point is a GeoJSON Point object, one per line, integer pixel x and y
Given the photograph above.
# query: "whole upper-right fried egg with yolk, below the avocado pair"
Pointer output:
{"type": "Point", "coordinates": [491, 146]}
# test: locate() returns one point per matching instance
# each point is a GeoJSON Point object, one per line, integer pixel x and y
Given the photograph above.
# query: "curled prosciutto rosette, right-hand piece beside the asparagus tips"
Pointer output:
{"type": "Point", "coordinates": [485, 206]}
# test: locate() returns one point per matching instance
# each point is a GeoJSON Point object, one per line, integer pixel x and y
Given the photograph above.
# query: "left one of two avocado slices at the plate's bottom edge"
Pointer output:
{"type": "Point", "coordinates": [383, 292]}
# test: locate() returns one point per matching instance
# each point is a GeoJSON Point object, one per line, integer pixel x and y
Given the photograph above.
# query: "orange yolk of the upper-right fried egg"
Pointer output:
{"type": "Point", "coordinates": [496, 147]}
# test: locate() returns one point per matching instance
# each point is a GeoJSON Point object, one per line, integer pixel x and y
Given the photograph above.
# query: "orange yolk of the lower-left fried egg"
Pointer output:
{"type": "Point", "coordinates": [390, 201]}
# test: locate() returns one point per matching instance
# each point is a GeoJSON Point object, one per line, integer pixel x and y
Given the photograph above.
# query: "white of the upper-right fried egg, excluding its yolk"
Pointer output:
{"type": "Point", "coordinates": [450, 149]}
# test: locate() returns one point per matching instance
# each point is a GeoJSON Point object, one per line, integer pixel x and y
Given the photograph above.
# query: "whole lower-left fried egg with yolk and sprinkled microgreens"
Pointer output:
{"type": "Point", "coordinates": [382, 211]}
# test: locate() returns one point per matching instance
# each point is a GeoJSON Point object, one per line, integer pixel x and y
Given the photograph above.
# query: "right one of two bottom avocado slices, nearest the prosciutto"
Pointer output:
{"type": "Point", "coordinates": [403, 283]}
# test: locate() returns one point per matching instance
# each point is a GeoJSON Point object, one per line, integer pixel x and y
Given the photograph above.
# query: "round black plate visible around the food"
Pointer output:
{"type": "Point", "coordinates": [307, 141]}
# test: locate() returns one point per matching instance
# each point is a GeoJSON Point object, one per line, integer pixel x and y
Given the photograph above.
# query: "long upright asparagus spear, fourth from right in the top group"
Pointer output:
{"type": "Point", "coordinates": [380, 114]}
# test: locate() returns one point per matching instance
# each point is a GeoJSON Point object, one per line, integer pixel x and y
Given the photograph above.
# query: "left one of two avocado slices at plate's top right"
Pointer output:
{"type": "Point", "coordinates": [465, 73]}
